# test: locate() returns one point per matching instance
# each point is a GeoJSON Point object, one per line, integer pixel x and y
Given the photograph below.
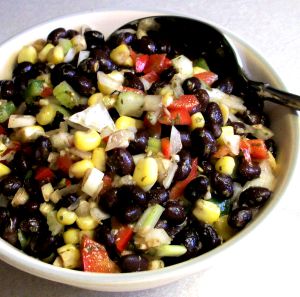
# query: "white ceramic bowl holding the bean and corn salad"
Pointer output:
{"type": "Point", "coordinates": [284, 124]}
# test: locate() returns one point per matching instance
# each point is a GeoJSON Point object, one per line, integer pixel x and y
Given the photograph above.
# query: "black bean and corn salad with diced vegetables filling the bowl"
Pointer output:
{"type": "Point", "coordinates": [126, 155]}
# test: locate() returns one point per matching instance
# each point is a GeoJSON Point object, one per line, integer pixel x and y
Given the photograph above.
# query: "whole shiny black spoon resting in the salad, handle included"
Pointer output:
{"type": "Point", "coordinates": [195, 38]}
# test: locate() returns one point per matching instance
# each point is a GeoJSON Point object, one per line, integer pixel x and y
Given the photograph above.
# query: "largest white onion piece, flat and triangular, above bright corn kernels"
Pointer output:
{"type": "Point", "coordinates": [94, 117]}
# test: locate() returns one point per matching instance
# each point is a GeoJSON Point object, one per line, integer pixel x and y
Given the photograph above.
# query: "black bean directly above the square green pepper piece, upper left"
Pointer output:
{"type": "Point", "coordinates": [63, 72]}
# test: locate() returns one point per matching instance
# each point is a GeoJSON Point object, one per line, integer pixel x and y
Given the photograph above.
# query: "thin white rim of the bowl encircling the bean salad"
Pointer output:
{"type": "Point", "coordinates": [20, 260]}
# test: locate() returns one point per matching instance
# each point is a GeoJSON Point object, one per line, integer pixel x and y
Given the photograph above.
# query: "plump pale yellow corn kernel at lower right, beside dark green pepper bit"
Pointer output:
{"type": "Point", "coordinates": [206, 211]}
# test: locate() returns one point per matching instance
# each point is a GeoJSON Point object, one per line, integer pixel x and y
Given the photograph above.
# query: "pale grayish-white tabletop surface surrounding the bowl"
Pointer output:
{"type": "Point", "coordinates": [269, 264]}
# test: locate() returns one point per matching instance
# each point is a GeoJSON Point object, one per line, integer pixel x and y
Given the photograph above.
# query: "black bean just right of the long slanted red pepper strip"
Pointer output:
{"type": "Point", "coordinates": [197, 188]}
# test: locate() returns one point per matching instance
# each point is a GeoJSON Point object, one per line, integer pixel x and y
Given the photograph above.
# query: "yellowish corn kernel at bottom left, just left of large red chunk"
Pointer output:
{"type": "Point", "coordinates": [70, 256]}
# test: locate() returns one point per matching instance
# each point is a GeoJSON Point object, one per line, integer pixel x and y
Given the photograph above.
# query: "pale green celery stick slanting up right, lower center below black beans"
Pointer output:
{"type": "Point", "coordinates": [149, 218]}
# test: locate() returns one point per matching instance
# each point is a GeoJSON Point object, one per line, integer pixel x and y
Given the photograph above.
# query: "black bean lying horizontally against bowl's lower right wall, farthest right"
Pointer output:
{"type": "Point", "coordinates": [254, 196]}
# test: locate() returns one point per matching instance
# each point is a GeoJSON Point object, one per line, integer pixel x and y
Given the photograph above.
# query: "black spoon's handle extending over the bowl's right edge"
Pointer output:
{"type": "Point", "coordinates": [271, 94]}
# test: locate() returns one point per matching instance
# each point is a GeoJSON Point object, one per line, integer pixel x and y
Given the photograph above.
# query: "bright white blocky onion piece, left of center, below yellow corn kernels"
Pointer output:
{"type": "Point", "coordinates": [92, 182]}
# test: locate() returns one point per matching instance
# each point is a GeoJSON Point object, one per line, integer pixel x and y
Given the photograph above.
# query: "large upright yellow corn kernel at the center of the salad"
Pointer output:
{"type": "Point", "coordinates": [146, 173]}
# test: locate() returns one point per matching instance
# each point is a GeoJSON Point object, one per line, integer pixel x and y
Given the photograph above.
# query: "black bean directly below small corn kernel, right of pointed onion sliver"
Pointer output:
{"type": "Point", "coordinates": [203, 143]}
